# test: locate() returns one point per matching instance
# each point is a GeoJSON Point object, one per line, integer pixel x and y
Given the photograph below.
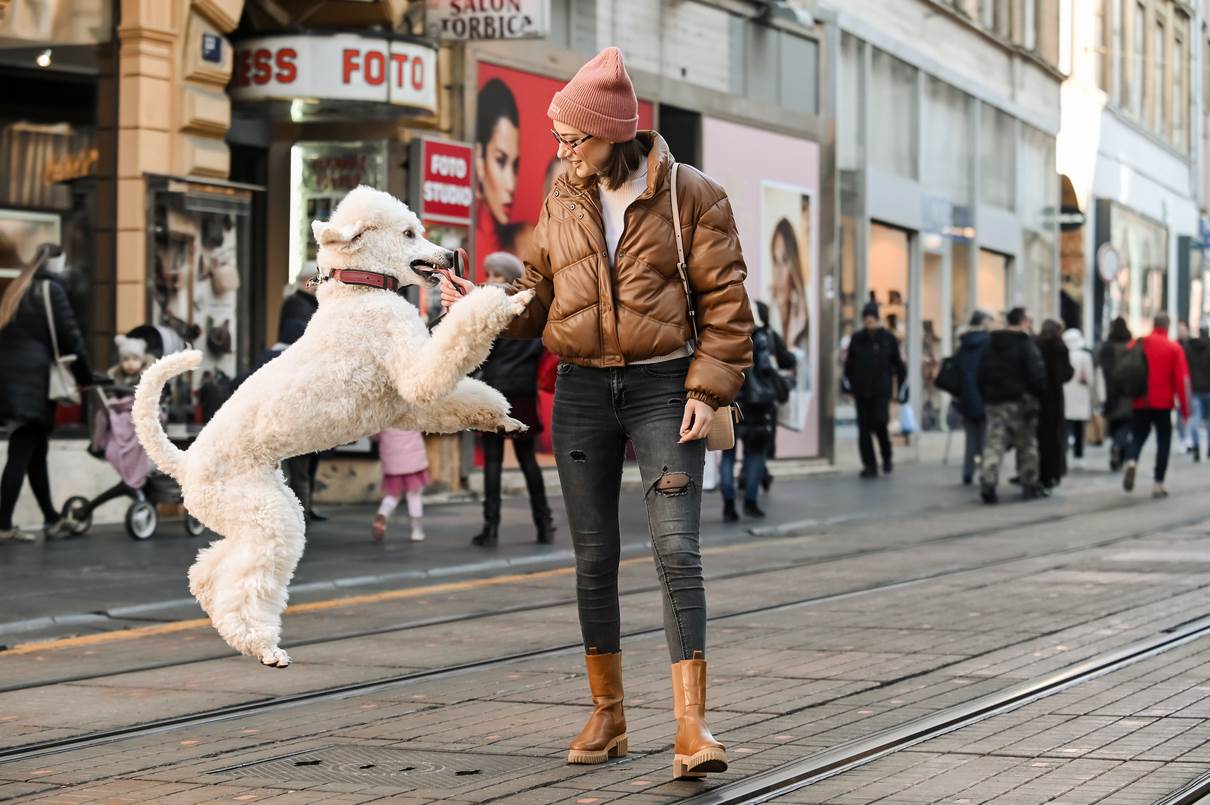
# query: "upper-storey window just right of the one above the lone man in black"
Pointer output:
{"type": "Point", "coordinates": [948, 142]}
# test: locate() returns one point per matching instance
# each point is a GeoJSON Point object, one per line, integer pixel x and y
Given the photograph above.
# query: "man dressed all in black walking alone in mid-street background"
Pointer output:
{"type": "Point", "coordinates": [873, 369]}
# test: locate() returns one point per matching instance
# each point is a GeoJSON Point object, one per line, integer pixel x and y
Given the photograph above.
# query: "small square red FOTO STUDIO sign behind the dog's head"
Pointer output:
{"type": "Point", "coordinates": [443, 185]}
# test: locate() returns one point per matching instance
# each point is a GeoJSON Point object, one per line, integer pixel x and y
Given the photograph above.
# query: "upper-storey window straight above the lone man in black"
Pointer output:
{"type": "Point", "coordinates": [894, 116]}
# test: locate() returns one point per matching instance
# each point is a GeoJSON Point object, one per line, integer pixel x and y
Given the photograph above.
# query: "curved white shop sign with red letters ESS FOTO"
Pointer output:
{"type": "Point", "coordinates": [337, 67]}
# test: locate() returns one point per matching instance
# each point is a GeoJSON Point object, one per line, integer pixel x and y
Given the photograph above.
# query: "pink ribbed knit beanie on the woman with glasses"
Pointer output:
{"type": "Point", "coordinates": [600, 101]}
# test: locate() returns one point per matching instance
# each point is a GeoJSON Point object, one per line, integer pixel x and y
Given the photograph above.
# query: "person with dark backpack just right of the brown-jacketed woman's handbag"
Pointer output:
{"type": "Point", "coordinates": [764, 390]}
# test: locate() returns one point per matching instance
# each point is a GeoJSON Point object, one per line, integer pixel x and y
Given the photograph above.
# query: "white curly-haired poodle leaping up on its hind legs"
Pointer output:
{"type": "Point", "coordinates": [366, 363]}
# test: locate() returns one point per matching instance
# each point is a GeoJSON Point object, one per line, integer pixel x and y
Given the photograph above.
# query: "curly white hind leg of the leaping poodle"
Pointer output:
{"type": "Point", "coordinates": [250, 571]}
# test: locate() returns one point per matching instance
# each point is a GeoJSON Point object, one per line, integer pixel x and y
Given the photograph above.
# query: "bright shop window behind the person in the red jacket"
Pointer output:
{"type": "Point", "coordinates": [1138, 291]}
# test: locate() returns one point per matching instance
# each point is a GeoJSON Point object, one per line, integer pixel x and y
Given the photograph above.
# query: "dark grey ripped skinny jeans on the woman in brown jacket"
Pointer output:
{"type": "Point", "coordinates": [596, 412]}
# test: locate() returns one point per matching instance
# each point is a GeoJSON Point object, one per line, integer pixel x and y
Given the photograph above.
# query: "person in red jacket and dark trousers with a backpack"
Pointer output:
{"type": "Point", "coordinates": [1162, 379]}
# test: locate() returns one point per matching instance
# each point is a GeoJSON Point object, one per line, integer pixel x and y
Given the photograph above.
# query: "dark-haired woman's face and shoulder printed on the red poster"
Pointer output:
{"type": "Point", "coordinates": [498, 149]}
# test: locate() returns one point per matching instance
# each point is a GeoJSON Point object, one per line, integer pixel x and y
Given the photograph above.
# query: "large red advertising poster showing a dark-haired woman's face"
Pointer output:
{"type": "Point", "coordinates": [515, 166]}
